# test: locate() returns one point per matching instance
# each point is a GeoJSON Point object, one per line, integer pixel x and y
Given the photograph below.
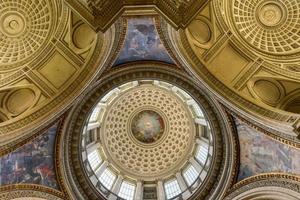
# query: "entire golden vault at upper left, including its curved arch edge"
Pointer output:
{"type": "Point", "coordinates": [48, 47]}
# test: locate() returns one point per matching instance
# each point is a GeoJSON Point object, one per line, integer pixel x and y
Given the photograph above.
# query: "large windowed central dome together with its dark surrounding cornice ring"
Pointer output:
{"type": "Point", "coordinates": [141, 134]}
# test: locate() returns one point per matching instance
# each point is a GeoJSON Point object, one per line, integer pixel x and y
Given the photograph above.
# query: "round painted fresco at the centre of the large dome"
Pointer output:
{"type": "Point", "coordinates": [147, 126]}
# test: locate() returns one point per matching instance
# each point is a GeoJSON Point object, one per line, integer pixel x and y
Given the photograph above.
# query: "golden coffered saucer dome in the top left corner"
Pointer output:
{"type": "Point", "coordinates": [24, 28]}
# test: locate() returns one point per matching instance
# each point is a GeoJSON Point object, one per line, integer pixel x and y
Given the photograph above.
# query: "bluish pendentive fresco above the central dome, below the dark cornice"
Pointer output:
{"type": "Point", "coordinates": [142, 42]}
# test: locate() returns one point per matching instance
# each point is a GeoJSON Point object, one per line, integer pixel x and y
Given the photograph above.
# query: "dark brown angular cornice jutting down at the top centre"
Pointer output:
{"type": "Point", "coordinates": [101, 14]}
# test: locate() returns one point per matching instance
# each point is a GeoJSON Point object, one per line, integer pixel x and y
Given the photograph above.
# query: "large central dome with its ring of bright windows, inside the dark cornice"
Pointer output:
{"type": "Point", "coordinates": [146, 135]}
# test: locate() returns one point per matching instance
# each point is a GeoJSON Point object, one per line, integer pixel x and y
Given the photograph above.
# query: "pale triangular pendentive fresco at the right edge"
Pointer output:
{"type": "Point", "coordinates": [262, 154]}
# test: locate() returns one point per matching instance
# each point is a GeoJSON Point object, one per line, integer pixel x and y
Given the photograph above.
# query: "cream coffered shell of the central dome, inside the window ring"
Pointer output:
{"type": "Point", "coordinates": [147, 130]}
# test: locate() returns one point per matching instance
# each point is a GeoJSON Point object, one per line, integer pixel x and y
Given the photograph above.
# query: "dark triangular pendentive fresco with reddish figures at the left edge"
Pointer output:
{"type": "Point", "coordinates": [32, 163]}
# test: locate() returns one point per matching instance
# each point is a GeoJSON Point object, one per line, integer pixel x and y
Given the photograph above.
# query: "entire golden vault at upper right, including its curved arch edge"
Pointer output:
{"type": "Point", "coordinates": [248, 53]}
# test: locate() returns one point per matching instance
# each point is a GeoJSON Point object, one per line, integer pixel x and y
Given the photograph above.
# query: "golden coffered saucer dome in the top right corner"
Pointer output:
{"type": "Point", "coordinates": [267, 25]}
